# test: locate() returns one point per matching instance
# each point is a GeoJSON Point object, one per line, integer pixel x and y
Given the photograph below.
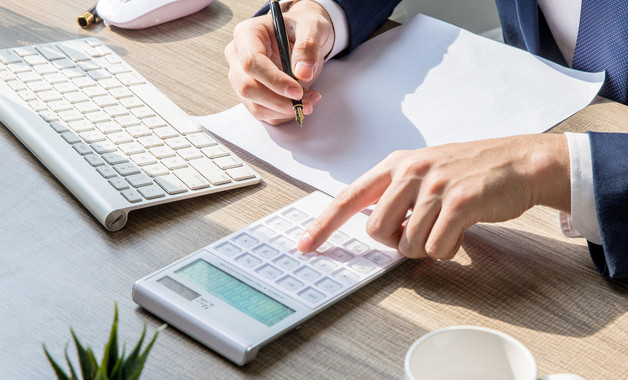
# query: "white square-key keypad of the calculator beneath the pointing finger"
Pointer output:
{"type": "Point", "coordinates": [267, 250]}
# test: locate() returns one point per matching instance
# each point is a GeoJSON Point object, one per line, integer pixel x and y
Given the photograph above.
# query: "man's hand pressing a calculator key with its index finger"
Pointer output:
{"type": "Point", "coordinates": [448, 188]}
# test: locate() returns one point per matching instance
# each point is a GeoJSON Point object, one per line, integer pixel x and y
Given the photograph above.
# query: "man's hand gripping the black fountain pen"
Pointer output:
{"type": "Point", "coordinates": [255, 66]}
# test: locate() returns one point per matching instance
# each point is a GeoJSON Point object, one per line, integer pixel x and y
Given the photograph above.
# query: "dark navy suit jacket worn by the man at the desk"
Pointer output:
{"type": "Point", "coordinates": [524, 27]}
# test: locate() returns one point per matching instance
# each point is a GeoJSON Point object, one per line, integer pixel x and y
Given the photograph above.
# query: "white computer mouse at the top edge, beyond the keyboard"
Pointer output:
{"type": "Point", "coordinates": [139, 14]}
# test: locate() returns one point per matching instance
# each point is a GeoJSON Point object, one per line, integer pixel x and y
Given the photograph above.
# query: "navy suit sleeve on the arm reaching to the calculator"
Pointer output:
{"type": "Point", "coordinates": [609, 156]}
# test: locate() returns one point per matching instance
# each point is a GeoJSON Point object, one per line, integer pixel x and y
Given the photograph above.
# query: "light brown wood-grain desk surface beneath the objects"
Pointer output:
{"type": "Point", "coordinates": [60, 268]}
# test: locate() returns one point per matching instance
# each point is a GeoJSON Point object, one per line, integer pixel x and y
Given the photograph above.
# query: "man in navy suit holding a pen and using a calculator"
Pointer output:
{"type": "Point", "coordinates": [453, 186]}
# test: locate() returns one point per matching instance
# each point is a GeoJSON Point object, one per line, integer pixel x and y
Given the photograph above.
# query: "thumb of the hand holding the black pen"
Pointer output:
{"type": "Point", "coordinates": [312, 43]}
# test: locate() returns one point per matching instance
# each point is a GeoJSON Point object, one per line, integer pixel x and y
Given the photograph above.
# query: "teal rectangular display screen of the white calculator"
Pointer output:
{"type": "Point", "coordinates": [235, 292]}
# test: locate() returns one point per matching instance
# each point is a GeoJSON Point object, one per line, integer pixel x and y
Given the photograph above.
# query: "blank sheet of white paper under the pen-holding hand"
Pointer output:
{"type": "Point", "coordinates": [421, 84]}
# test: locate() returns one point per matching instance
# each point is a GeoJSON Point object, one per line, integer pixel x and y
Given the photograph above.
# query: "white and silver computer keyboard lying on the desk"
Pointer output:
{"type": "Point", "coordinates": [113, 139]}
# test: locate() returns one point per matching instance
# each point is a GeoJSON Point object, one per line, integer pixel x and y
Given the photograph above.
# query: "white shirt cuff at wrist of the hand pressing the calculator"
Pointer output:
{"type": "Point", "coordinates": [582, 222]}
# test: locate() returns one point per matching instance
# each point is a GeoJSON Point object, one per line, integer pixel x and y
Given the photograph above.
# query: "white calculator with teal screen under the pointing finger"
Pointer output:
{"type": "Point", "coordinates": [250, 287]}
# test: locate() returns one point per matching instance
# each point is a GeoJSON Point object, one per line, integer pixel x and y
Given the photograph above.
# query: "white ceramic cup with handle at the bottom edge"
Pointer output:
{"type": "Point", "coordinates": [472, 353]}
